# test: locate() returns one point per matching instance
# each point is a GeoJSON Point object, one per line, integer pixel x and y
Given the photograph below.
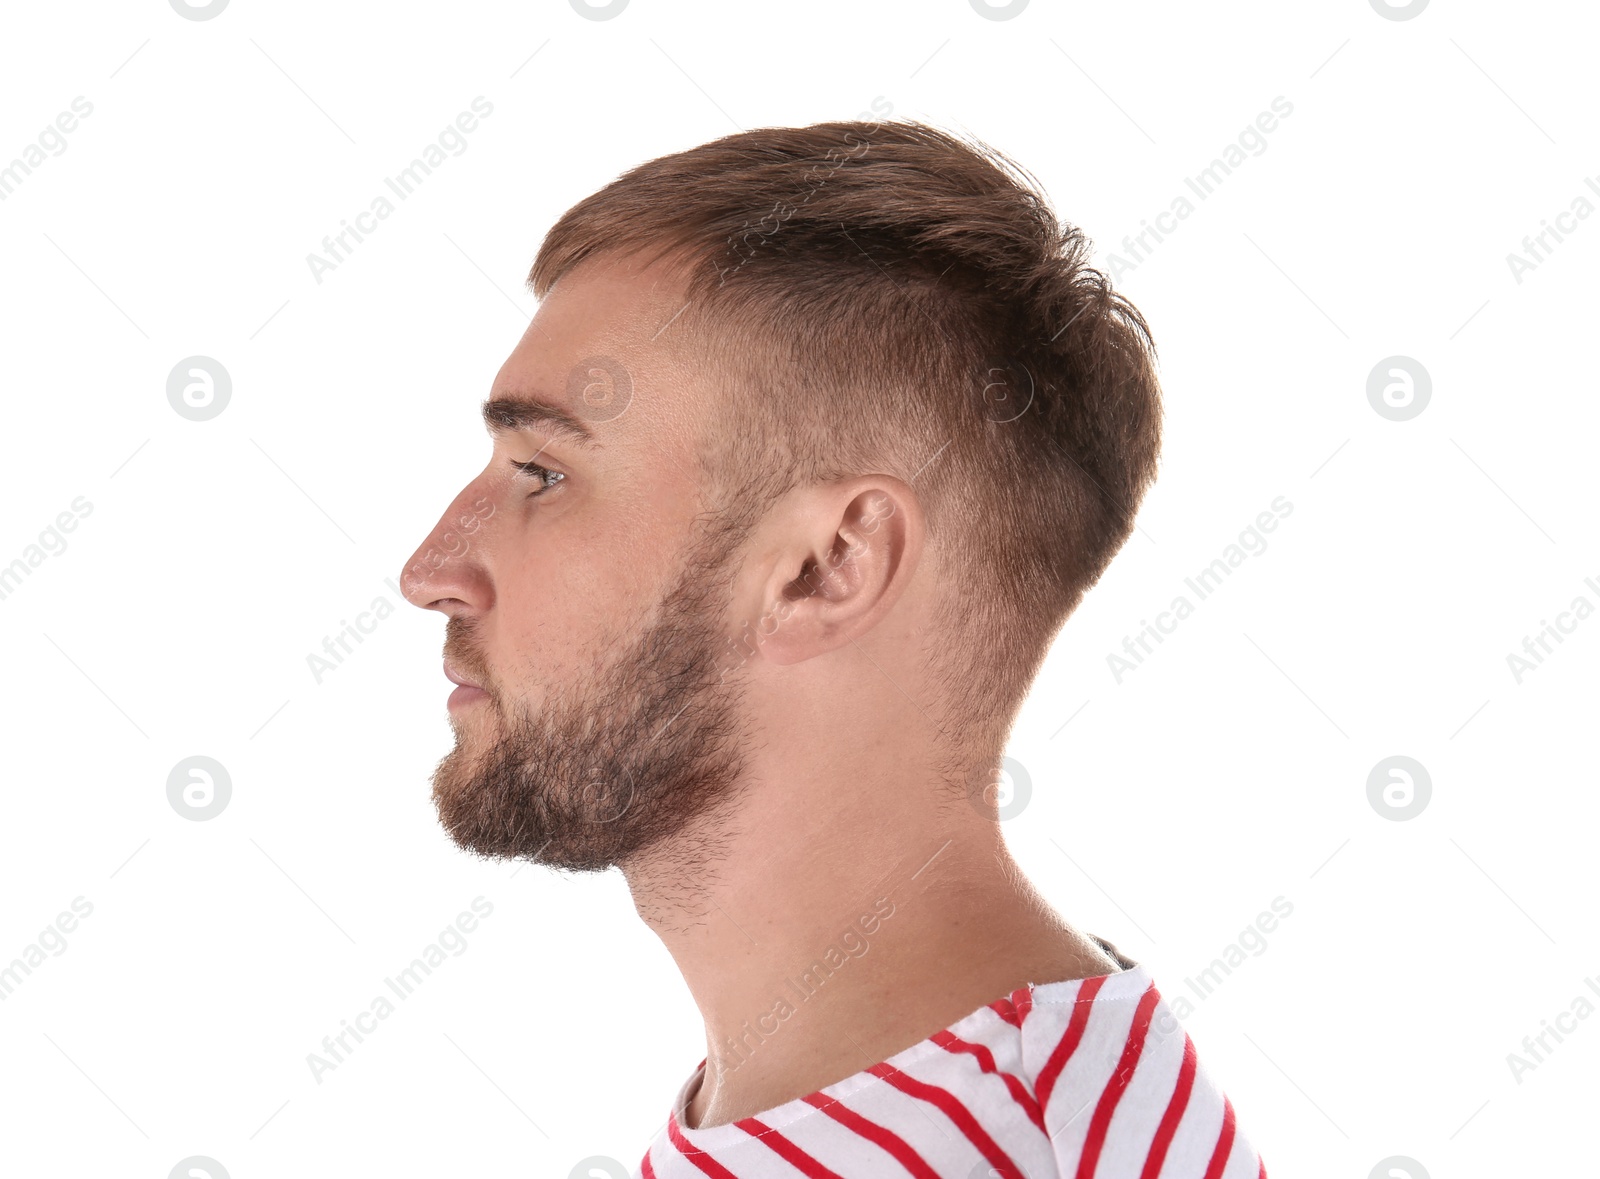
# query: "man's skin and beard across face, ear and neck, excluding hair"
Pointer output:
{"type": "Point", "coordinates": [791, 783]}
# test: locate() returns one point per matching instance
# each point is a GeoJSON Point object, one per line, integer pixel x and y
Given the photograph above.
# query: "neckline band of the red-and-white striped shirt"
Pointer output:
{"type": "Point", "coordinates": [1127, 985]}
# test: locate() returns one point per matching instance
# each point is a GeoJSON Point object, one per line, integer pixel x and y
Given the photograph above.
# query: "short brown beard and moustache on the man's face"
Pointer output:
{"type": "Point", "coordinates": [617, 765]}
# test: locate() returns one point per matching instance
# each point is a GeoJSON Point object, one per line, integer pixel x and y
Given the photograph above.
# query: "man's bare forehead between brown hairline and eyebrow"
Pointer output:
{"type": "Point", "coordinates": [602, 351]}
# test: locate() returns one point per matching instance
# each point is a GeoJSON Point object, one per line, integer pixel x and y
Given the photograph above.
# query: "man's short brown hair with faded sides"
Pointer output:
{"type": "Point", "coordinates": [890, 298]}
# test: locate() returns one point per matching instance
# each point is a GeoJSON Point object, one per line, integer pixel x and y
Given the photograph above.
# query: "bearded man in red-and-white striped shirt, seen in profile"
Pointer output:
{"type": "Point", "coordinates": [817, 439]}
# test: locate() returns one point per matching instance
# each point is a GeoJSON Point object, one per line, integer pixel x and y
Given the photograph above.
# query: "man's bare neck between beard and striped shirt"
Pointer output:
{"type": "Point", "coordinates": [825, 924]}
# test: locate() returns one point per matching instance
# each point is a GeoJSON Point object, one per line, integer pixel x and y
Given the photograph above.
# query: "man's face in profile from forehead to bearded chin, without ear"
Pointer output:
{"type": "Point", "coordinates": [588, 617]}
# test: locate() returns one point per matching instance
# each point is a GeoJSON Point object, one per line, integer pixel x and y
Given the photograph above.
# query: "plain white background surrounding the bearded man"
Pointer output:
{"type": "Point", "coordinates": [1228, 770]}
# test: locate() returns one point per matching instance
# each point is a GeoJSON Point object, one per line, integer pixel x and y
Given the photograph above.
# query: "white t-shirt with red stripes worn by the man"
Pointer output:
{"type": "Point", "coordinates": [1090, 1079]}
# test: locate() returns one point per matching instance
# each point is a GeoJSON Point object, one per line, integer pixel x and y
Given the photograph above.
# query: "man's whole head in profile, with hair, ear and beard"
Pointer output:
{"type": "Point", "coordinates": [838, 378]}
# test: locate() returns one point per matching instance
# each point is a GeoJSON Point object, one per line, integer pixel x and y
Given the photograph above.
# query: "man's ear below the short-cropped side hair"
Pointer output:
{"type": "Point", "coordinates": [838, 561]}
